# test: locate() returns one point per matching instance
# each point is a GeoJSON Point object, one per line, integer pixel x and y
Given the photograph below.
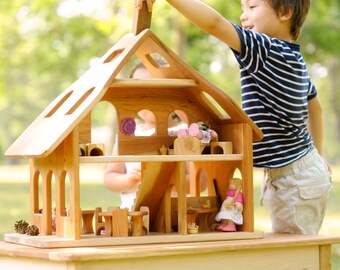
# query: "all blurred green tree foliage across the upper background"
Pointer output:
{"type": "Point", "coordinates": [45, 45]}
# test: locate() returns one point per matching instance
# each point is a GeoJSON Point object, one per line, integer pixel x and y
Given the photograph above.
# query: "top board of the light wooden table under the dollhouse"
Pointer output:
{"type": "Point", "coordinates": [270, 241]}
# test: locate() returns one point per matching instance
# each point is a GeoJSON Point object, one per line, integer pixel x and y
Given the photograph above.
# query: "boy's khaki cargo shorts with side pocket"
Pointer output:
{"type": "Point", "coordinates": [297, 195]}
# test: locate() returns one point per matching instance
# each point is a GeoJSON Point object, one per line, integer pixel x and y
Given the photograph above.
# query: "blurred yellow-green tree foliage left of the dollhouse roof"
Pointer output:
{"type": "Point", "coordinates": [45, 45]}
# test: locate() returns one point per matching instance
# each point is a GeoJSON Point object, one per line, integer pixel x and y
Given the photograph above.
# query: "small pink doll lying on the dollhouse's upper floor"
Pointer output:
{"type": "Point", "coordinates": [200, 130]}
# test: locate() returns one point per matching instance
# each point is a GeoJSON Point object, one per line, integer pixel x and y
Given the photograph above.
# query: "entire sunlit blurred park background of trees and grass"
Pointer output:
{"type": "Point", "coordinates": [45, 45]}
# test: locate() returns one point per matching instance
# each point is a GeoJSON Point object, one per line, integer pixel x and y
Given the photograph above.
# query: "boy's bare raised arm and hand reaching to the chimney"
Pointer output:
{"type": "Point", "coordinates": [204, 17]}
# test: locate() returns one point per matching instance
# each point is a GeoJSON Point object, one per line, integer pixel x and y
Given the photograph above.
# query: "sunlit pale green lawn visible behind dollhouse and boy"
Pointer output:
{"type": "Point", "coordinates": [15, 200]}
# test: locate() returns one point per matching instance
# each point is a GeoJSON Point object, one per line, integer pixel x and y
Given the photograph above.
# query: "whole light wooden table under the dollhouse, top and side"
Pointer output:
{"type": "Point", "coordinates": [274, 251]}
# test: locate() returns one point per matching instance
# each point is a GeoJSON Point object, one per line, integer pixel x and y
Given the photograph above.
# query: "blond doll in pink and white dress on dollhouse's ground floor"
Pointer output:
{"type": "Point", "coordinates": [231, 209]}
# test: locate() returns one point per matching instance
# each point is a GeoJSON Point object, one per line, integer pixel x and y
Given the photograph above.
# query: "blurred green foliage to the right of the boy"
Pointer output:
{"type": "Point", "coordinates": [320, 39]}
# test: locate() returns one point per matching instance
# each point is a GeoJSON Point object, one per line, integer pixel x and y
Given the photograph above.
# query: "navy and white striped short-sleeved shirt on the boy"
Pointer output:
{"type": "Point", "coordinates": [276, 88]}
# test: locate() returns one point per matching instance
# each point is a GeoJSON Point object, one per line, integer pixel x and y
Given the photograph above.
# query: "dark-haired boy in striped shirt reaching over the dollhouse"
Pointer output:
{"type": "Point", "coordinates": [280, 98]}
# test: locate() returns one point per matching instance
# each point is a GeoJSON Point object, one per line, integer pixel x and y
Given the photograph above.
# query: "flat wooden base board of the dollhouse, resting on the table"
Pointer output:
{"type": "Point", "coordinates": [91, 240]}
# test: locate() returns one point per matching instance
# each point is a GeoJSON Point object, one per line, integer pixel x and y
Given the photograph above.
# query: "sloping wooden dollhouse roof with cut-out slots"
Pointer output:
{"type": "Point", "coordinates": [67, 111]}
